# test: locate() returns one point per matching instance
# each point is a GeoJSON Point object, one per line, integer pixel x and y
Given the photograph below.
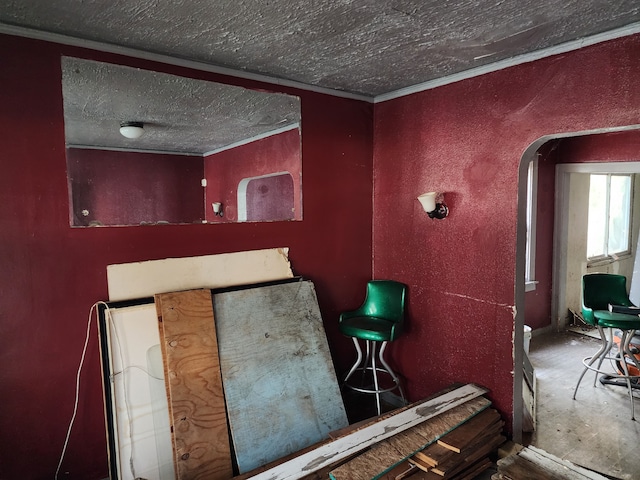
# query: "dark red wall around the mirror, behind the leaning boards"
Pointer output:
{"type": "Point", "coordinates": [51, 274]}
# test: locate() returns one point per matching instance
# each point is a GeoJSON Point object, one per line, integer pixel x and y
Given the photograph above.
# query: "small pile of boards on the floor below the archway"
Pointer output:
{"type": "Point", "coordinates": [535, 464]}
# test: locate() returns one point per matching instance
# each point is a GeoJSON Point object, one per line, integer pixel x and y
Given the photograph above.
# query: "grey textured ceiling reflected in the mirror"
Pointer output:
{"type": "Point", "coordinates": [180, 115]}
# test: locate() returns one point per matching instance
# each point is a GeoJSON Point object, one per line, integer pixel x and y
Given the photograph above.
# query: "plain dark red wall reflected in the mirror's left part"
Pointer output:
{"type": "Point", "coordinates": [125, 188]}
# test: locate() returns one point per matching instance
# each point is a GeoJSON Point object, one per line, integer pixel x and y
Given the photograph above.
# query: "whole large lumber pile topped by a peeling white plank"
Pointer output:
{"type": "Point", "coordinates": [383, 447]}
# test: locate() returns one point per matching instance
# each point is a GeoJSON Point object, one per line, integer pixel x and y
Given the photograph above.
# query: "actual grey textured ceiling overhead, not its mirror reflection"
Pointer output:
{"type": "Point", "coordinates": [368, 47]}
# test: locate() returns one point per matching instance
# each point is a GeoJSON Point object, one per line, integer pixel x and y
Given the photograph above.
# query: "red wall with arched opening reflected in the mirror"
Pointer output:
{"type": "Point", "coordinates": [225, 170]}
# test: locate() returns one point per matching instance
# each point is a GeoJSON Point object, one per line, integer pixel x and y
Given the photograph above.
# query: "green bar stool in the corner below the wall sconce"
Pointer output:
{"type": "Point", "coordinates": [379, 320]}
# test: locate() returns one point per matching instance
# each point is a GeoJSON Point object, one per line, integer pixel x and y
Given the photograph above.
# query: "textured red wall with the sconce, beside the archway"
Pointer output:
{"type": "Point", "coordinates": [467, 139]}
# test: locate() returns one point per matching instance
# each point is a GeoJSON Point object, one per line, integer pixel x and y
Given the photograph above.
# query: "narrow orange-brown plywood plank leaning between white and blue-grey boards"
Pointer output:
{"type": "Point", "coordinates": [194, 385]}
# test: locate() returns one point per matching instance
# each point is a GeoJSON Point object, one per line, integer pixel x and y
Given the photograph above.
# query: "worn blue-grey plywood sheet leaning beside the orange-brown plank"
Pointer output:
{"type": "Point", "coordinates": [279, 380]}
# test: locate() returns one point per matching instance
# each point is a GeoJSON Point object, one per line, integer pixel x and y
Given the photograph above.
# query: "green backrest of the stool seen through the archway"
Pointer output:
{"type": "Point", "coordinates": [601, 289]}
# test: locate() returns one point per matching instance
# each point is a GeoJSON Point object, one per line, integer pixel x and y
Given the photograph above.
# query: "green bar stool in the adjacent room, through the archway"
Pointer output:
{"type": "Point", "coordinates": [604, 296]}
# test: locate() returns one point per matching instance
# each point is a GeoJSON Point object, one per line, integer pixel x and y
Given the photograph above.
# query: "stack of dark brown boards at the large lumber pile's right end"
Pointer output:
{"type": "Point", "coordinates": [464, 452]}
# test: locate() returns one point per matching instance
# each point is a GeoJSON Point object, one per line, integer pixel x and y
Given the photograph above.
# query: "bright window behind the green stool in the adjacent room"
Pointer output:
{"type": "Point", "coordinates": [609, 221]}
